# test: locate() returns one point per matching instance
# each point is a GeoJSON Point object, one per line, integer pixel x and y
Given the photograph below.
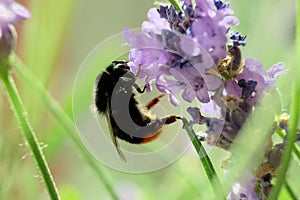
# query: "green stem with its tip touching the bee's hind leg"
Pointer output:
{"type": "Point", "coordinates": [205, 160]}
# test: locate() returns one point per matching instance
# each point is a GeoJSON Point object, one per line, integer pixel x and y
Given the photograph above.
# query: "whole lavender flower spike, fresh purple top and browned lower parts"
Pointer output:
{"type": "Point", "coordinates": [187, 51]}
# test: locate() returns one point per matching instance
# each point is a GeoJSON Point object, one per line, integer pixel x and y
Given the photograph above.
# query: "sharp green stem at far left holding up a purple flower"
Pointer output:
{"type": "Point", "coordinates": [29, 135]}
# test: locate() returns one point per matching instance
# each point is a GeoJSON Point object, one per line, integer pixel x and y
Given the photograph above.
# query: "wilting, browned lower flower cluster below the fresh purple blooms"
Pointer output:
{"type": "Point", "coordinates": [235, 102]}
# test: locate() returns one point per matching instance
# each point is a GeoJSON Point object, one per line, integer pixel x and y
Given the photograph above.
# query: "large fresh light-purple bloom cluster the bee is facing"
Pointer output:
{"type": "Point", "coordinates": [176, 49]}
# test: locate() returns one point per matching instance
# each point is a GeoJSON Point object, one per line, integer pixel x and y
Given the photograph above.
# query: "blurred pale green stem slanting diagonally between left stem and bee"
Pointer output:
{"type": "Point", "coordinates": [64, 120]}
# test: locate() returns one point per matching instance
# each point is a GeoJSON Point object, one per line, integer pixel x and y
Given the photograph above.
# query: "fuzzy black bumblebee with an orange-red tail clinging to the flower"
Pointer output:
{"type": "Point", "coordinates": [115, 97]}
